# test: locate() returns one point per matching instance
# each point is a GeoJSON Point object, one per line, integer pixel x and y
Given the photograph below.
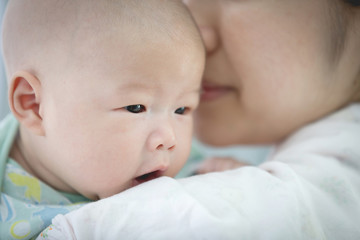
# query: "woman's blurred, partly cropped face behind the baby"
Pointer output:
{"type": "Point", "coordinates": [270, 68]}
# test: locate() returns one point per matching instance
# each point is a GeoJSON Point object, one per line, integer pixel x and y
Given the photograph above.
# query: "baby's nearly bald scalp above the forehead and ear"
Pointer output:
{"type": "Point", "coordinates": [40, 36]}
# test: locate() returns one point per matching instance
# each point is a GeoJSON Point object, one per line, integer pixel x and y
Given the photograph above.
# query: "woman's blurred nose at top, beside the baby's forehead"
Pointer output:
{"type": "Point", "coordinates": [205, 15]}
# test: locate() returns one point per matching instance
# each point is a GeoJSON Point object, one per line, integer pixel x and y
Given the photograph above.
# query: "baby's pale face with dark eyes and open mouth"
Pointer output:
{"type": "Point", "coordinates": [121, 114]}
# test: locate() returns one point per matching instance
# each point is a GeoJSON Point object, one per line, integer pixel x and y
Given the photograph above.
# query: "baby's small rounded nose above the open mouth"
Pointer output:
{"type": "Point", "coordinates": [162, 138]}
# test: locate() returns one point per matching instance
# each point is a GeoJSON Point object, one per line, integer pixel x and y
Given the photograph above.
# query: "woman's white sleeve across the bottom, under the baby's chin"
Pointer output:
{"type": "Point", "coordinates": [247, 203]}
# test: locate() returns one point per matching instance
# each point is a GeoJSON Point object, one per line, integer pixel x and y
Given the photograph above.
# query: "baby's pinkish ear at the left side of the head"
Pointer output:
{"type": "Point", "coordinates": [25, 99]}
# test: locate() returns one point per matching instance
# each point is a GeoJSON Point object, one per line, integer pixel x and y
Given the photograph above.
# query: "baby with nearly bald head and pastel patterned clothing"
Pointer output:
{"type": "Point", "coordinates": [102, 95]}
